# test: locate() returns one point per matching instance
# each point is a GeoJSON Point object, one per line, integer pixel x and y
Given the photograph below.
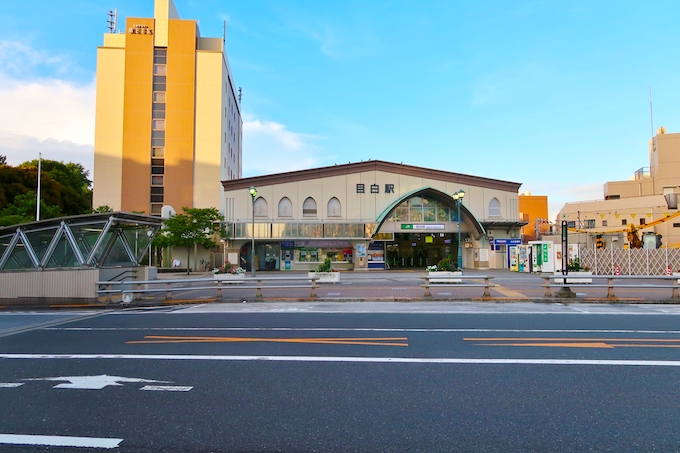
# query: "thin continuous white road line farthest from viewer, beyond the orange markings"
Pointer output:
{"type": "Point", "coordinates": [354, 329]}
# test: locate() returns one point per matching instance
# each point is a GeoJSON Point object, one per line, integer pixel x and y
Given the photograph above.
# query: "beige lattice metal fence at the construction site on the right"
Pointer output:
{"type": "Point", "coordinates": [631, 261]}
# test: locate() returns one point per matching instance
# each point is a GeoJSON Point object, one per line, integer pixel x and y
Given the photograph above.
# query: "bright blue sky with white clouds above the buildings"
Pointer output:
{"type": "Point", "coordinates": [552, 94]}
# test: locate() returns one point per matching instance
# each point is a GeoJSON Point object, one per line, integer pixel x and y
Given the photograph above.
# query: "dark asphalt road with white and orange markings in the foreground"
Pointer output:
{"type": "Point", "coordinates": [345, 377]}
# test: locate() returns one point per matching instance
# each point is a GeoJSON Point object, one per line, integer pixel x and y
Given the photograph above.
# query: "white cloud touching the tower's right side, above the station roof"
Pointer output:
{"type": "Point", "coordinates": [269, 148]}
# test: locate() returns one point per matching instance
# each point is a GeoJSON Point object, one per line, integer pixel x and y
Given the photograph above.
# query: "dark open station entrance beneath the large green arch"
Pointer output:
{"type": "Point", "coordinates": [418, 250]}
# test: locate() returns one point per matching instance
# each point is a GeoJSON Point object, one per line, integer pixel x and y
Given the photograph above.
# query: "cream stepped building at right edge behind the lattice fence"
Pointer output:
{"type": "Point", "coordinates": [647, 202]}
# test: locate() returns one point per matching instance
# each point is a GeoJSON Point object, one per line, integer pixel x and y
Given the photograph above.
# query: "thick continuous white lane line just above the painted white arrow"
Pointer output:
{"type": "Point", "coordinates": [443, 360]}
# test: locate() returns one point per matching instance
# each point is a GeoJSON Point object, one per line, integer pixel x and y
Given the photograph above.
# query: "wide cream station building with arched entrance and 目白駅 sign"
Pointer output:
{"type": "Point", "coordinates": [370, 215]}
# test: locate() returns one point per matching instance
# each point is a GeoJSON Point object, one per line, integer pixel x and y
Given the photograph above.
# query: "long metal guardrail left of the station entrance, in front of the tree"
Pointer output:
{"type": "Point", "coordinates": [140, 287]}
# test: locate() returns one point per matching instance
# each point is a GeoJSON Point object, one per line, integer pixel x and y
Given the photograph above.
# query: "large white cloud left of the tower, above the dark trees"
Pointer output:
{"type": "Point", "coordinates": [43, 114]}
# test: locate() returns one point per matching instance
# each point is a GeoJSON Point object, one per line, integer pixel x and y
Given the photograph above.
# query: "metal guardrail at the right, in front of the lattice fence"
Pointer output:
{"type": "Point", "coordinates": [610, 285]}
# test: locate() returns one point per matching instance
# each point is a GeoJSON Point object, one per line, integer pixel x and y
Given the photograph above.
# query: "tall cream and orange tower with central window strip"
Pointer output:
{"type": "Point", "coordinates": [168, 124]}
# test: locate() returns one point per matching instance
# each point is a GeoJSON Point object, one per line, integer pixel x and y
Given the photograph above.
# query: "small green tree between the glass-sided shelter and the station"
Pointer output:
{"type": "Point", "coordinates": [193, 226]}
